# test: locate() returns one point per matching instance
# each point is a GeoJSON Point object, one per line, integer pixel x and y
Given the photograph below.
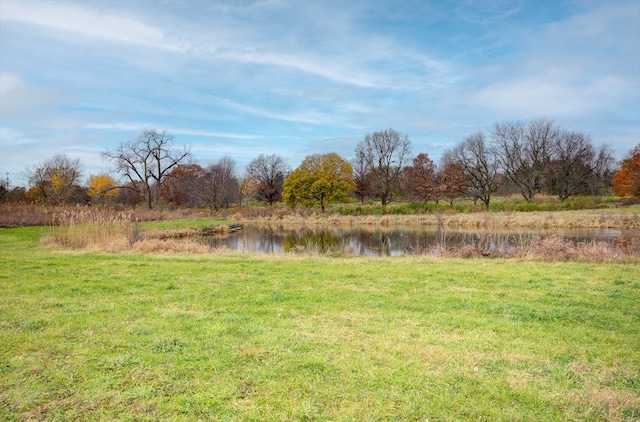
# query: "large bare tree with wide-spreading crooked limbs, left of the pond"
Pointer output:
{"type": "Point", "coordinates": [147, 159]}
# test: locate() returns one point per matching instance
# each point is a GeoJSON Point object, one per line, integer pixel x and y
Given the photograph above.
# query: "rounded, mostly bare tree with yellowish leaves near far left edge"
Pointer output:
{"type": "Point", "coordinates": [56, 180]}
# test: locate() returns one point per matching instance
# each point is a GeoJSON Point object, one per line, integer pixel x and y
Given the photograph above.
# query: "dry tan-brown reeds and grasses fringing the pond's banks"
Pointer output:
{"type": "Point", "coordinates": [118, 231]}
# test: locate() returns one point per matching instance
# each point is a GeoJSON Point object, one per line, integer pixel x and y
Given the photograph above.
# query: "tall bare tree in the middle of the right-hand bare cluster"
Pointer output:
{"type": "Point", "coordinates": [524, 151]}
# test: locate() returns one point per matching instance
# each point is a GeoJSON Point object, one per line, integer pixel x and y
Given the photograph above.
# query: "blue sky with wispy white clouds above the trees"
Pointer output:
{"type": "Point", "coordinates": [294, 78]}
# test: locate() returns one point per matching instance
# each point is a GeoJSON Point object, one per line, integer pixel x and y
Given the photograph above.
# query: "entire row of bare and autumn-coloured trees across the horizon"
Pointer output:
{"type": "Point", "coordinates": [526, 157]}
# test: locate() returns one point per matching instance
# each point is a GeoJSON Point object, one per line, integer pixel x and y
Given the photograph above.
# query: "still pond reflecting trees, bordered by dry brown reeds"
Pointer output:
{"type": "Point", "coordinates": [369, 241]}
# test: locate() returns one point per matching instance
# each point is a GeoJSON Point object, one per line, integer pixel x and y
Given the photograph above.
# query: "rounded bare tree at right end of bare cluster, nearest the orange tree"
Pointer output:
{"type": "Point", "coordinates": [575, 164]}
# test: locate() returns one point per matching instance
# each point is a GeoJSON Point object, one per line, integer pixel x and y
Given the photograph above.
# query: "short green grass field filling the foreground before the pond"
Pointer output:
{"type": "Point", "coordinates": [98, 336]}
